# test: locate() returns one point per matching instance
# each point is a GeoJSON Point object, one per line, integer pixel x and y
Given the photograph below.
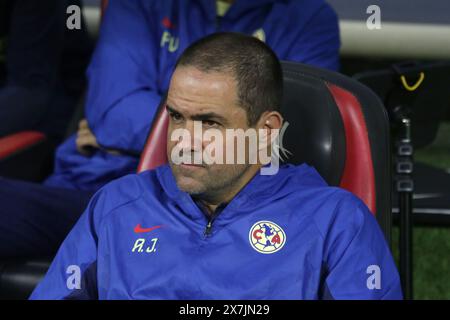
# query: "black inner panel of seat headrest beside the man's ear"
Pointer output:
{"type": "Point", "coordinates": [315, 133]}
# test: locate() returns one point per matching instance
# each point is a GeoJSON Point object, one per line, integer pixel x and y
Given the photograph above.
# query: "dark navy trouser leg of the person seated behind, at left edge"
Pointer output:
{"type": "Point", "coordinates": [35, 218]}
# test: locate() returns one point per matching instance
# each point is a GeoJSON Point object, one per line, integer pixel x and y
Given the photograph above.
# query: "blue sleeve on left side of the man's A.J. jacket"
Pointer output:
{"type": "Point", "coordinates": [72, 274]}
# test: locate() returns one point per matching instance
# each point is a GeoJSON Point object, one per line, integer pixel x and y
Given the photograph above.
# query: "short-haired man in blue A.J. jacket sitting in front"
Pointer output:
{"type": "Point", "coordinates": [195, 229]}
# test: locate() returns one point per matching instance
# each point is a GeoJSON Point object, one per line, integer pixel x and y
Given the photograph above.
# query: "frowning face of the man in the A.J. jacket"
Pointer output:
{"type": "Point", "coordinates": [212, 99]}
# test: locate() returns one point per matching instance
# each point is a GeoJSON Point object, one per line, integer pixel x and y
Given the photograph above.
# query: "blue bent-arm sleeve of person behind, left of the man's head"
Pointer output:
{"type": "Point", "coordinates": [123, 92]}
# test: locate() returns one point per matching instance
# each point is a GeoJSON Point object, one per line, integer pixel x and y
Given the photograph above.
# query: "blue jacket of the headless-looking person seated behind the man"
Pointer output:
{"type": "Point", "coordinates": [138, 46]}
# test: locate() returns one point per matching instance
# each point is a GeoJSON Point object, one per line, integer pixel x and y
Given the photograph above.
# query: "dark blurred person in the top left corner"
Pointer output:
{"type": "Point", "coordinates": [43, 74]}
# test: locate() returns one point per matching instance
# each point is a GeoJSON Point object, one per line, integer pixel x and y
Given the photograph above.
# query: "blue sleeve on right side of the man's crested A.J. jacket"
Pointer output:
{"type": "Point", "coordinates": [359, 264]}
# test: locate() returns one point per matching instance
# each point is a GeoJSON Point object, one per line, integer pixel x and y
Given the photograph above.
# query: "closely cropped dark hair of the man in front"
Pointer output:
{"type": "Point", "coordinates": [252, 63]}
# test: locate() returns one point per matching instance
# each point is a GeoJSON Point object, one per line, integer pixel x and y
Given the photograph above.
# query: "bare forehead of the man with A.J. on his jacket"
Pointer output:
{"type": "Point", "coordinates": [192, 89]}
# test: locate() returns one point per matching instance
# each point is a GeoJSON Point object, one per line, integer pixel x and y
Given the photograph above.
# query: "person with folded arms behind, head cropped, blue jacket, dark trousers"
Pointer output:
{"type": "Point", "coordinates": [138, 46]}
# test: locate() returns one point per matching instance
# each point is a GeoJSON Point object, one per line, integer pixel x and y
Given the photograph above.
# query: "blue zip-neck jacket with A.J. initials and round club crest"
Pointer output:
{"type": "Point", "coordinates": [286, 236]}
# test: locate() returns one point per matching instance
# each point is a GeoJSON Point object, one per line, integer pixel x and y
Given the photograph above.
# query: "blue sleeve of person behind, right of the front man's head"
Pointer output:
{"type": "Point", "coordinates": [317, 42]}
